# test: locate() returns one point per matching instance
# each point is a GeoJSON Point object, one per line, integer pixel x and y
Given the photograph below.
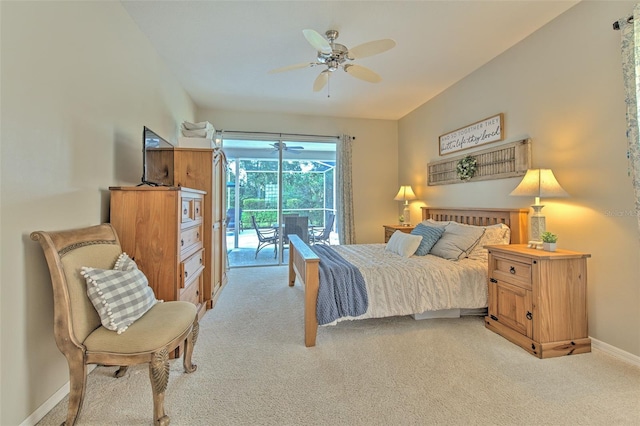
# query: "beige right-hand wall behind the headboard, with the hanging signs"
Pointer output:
{"type": "Point", "coordinates": [562, 87]}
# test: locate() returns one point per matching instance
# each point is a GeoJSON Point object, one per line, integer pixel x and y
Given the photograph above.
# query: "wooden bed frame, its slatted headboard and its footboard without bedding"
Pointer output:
{"type": "Point", "coordinates": [303, 262]}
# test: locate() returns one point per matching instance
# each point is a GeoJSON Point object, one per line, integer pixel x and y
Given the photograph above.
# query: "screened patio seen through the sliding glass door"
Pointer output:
{"type": "Point", "coordinates": [270, 179]}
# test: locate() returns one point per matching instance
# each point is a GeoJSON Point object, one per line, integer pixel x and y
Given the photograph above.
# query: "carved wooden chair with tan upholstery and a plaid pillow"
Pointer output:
{"type": "Point", "coordinates": [79, 260]}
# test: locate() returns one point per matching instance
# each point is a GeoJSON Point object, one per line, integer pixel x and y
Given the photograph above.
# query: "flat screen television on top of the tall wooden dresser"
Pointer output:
{"type": "Point", "coordinates": [154, 173]}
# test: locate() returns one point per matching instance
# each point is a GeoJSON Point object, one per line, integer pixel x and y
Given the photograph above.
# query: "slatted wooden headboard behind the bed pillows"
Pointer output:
{"type": "Point", "coordinates": [516, 219]}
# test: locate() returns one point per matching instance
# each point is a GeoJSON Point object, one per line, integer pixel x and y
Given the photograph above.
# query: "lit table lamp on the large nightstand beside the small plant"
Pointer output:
{"type": "Point", "coordinates": [538, 183]}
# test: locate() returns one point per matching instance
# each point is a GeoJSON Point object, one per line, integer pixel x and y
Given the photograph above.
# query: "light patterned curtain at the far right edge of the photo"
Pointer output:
{"type": "Point", "coordinates": [631, 71]}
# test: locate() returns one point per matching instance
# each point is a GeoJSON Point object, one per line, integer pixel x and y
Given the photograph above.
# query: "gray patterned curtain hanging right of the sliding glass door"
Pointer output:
{"type": "Point", "coordinates": [344, 191]}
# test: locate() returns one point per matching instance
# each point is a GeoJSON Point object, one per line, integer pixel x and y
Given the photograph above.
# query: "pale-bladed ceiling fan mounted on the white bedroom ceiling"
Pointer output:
{"type": "Point", "coordinates": [335, 56]}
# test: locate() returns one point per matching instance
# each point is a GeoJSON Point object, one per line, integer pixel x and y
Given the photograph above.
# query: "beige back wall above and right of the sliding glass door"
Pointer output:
{"type": "Point", "coordinates": [375, 158]}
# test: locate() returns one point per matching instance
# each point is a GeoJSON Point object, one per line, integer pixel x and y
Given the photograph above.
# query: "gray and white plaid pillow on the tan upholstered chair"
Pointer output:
{"type": "Point", "coordinates": [120, 295]}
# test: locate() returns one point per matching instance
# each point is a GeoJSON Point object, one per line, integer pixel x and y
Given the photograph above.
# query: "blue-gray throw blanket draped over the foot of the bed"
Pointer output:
{"type": "Point", "coordinates": [342, 291]}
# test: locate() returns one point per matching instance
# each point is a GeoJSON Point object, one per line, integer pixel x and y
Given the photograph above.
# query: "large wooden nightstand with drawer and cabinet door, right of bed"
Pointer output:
{"type": "Point", "coordinates": [538, 299]}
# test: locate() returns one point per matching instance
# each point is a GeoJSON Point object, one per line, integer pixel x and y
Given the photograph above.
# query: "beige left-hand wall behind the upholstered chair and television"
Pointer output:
{"type": "Point", "coordinates": [78, 81]}
